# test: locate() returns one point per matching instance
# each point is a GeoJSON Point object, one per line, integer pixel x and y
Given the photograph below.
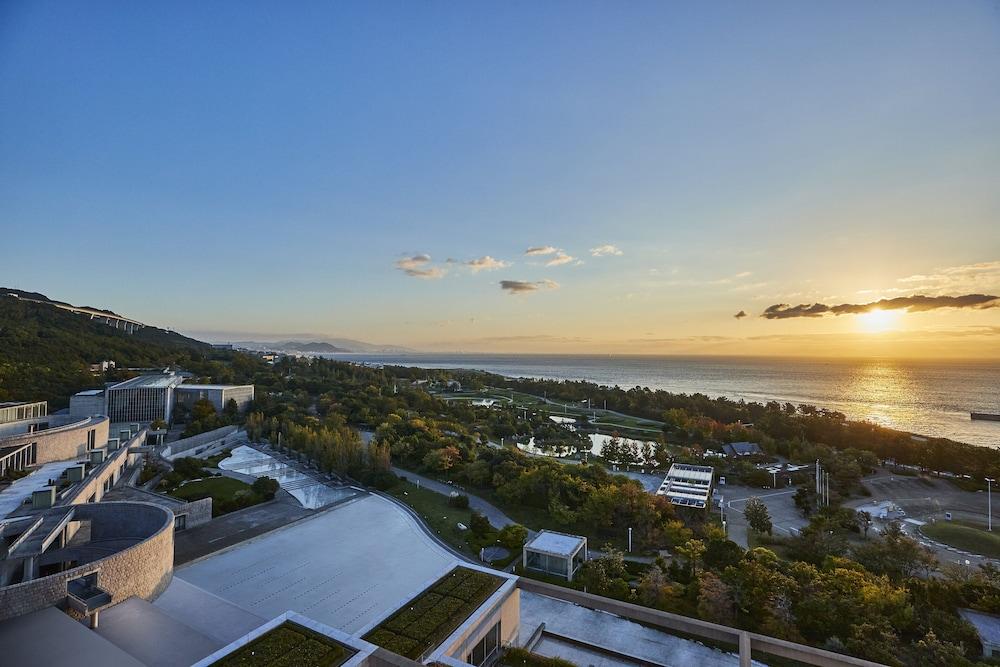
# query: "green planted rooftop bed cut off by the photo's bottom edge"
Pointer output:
{"type": "Point", "coordinates": [288, 644]}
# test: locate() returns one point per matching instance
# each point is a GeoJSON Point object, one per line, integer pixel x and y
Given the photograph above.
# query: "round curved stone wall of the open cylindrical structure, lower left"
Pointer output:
{"type": "Point", "coordinates": [143, 569]}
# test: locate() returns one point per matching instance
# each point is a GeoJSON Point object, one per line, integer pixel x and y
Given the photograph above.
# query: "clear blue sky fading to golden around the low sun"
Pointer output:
{"type": "Point", "coordinates": [578, 177]}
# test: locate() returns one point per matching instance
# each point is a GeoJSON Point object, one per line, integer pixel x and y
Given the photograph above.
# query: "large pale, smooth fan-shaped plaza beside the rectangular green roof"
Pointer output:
{"type": "Point", "coordinates": [345, 567]}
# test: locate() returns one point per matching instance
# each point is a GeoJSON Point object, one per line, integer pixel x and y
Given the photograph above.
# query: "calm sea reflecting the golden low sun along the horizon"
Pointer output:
{"type": "Point", "coordinates": [929, 398]}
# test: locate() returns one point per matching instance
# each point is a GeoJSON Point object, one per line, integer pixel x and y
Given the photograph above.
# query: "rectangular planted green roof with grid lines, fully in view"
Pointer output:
{"type": "Point", "coordinates": [431, 616]}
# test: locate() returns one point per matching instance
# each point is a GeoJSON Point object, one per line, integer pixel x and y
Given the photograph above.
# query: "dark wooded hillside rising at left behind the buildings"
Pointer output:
{"type": "Point", "coordinates": [45, 352]}
